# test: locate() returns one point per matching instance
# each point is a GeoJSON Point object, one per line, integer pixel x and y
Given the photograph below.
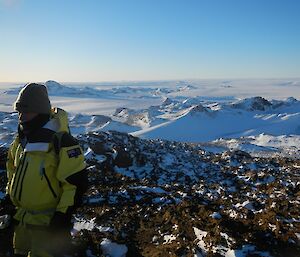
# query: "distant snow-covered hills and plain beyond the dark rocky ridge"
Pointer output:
{"type": "Point", "coordinates": [234, 117]}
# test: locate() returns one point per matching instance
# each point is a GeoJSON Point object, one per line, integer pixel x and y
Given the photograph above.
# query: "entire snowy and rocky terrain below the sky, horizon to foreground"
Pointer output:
{"type": "Point", "coordinates": [183, 187]}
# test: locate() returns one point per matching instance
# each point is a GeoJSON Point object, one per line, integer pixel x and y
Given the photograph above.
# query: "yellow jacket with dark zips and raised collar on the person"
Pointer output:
{"type": "Point", "coordinates": [37, 171]}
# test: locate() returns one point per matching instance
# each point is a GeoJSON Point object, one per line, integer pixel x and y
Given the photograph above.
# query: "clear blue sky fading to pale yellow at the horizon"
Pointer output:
{"type": "Point", "coordinates": [110, 40]}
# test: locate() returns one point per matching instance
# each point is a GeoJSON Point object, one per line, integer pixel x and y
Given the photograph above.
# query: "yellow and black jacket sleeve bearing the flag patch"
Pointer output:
{"type": "Point", "coordinates": [71, 173]}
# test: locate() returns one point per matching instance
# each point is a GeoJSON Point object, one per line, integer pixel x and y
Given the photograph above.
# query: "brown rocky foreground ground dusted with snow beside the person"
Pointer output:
{"type": "Point", "coordinates": [164, 198]}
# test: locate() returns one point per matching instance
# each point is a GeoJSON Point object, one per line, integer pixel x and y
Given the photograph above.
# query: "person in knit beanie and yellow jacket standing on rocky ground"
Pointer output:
{"type": "Point", "coordinates": [46, 176]}
